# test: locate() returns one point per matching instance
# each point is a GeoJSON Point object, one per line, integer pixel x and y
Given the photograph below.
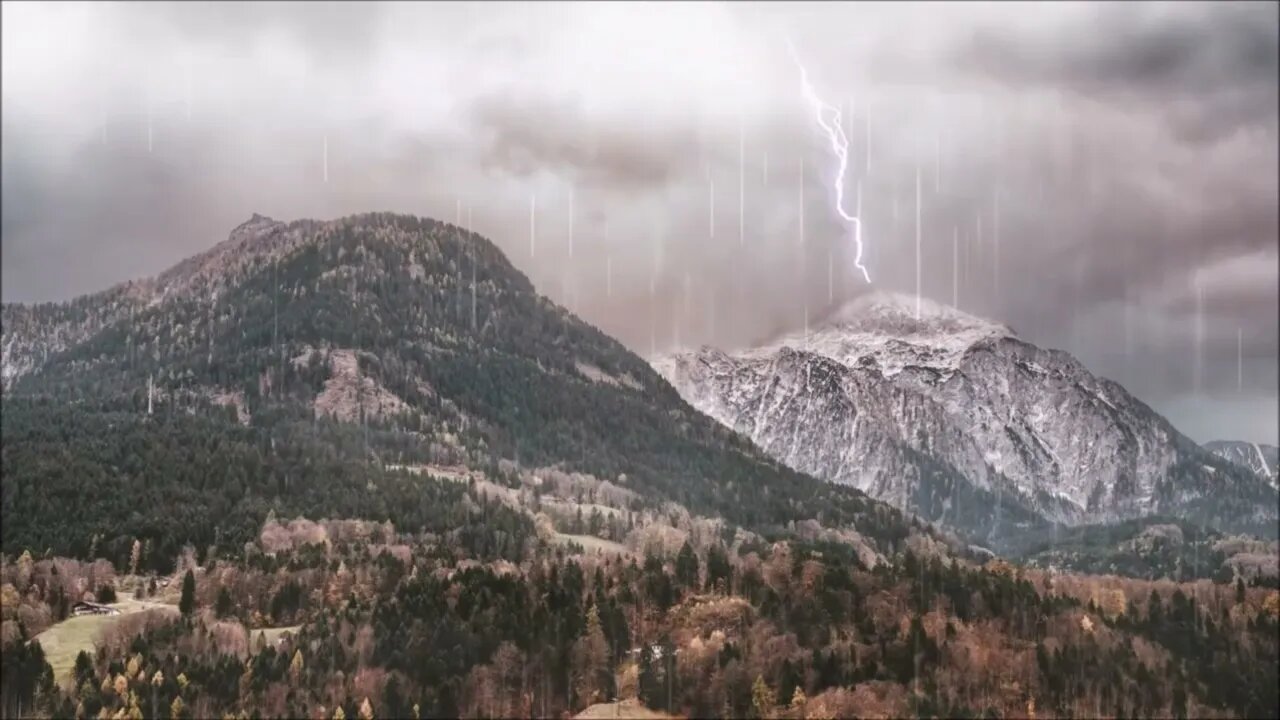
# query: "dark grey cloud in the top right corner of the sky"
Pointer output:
{"type": "Point", "coordinates": [1212, 69]}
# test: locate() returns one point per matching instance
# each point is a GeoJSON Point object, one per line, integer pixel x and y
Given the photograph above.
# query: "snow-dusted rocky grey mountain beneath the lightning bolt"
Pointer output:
{"type": "Point", "coordinates": [944, 414]}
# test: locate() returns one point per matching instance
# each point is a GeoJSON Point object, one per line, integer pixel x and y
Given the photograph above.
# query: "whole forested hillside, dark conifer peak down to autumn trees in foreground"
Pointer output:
{"type": "Point", "coordinates": [464, 502]}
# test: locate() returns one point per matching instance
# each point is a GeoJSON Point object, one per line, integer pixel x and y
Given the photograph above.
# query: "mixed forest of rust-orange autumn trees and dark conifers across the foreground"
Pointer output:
{"type": "Point", "coordinates": [400, 625]}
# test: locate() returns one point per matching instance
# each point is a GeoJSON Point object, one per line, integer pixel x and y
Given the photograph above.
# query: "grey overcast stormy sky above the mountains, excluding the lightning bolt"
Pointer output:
{"type": "Point", "coordinates": [1101, 177]}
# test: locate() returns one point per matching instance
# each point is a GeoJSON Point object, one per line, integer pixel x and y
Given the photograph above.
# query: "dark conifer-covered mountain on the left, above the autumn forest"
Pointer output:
{"type": "Point", "coordinates": [296, 364]}
